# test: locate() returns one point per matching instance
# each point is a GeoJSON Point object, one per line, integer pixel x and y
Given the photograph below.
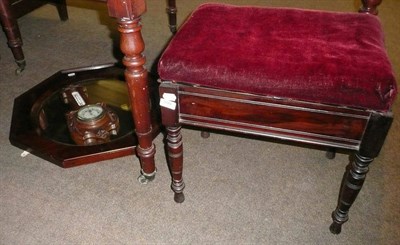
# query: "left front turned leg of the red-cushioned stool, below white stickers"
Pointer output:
{"type": "Point", "coordinates": [175, 157]}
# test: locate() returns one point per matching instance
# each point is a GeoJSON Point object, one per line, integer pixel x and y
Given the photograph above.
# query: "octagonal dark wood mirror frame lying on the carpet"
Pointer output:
{"type": "Point", "coordinates": [27, 134]}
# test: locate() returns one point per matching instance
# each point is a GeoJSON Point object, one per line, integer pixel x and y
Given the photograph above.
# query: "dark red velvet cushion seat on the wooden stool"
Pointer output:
{"type": "Point", "coordinates": [315, 56]}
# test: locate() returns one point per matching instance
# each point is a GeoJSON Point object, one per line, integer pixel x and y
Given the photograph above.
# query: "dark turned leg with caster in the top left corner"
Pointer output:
{"type": "Point", "coordinates": [11, 29]}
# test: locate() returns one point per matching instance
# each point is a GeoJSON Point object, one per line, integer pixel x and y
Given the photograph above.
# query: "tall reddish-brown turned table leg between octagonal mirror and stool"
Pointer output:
{"type": "Point", "coordinates": [128, 13]}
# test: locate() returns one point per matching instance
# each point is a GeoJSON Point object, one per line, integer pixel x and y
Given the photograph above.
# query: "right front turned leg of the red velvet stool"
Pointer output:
{"type": "Point", "coordinates": [352, 184]}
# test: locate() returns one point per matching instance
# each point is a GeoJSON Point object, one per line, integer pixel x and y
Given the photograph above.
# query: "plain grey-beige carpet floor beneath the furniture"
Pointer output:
{"type": "Point", "coordinates": [238, 190]}
